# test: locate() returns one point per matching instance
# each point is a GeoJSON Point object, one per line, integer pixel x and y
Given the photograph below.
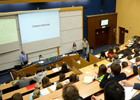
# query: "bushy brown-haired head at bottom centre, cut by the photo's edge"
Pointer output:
{"type": "Point", "coordinates": [70, 92]}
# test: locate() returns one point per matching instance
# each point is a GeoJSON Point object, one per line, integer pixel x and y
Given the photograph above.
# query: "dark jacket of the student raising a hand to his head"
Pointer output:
{"type": "Point", "coordinates": [117, 78]}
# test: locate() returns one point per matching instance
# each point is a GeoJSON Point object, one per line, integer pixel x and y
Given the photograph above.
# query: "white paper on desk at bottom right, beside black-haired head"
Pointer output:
{"type": "Point", "coordinates": [129, 92]}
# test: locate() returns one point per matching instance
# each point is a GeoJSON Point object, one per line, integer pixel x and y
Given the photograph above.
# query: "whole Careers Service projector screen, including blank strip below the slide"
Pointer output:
{"type": "Point", "coordinates": [41, 29]}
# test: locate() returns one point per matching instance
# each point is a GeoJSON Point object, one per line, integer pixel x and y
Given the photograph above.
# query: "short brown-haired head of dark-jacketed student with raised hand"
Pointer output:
{"type": "Point", "coordinates": [115, 68]}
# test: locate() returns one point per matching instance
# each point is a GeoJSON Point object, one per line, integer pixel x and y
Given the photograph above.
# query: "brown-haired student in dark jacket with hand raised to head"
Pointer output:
{"type": "Point", "coordinates": [115, 70]}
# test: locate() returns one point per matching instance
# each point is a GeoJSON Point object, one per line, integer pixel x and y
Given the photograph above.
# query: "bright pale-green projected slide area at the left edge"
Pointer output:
{"type": "Point", "coordinates": [8, 31]}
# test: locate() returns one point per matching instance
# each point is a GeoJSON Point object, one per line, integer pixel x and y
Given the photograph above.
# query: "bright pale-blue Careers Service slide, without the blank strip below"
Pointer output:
{"type": "Point", "coordinates": [39, 26]}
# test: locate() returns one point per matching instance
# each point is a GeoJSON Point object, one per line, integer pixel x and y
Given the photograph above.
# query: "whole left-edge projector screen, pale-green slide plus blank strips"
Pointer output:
{"type": "Point", "coordinates": [8, 34]}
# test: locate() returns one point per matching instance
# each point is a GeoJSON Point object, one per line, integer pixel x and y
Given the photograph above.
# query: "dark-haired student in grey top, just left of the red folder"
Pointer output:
{"type": "Point", "coordinates": [23, 82]}
